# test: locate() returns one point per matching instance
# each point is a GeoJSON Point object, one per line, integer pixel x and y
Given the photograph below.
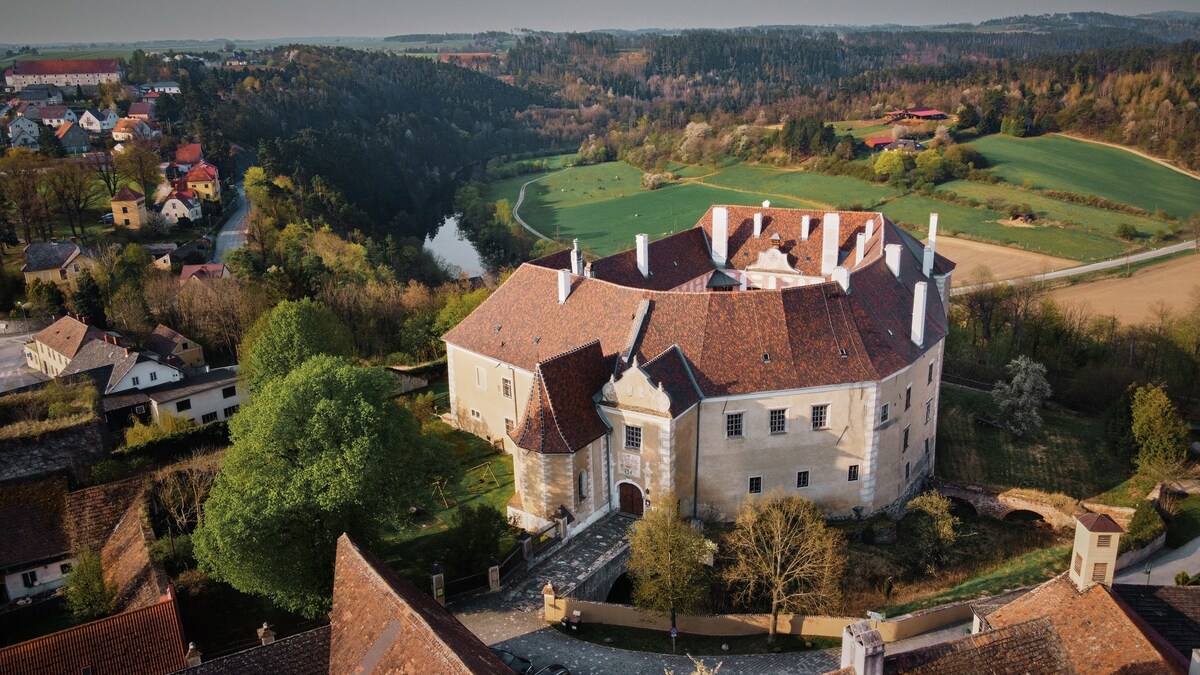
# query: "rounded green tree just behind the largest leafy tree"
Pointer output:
{"type": "Point", "coordinates": [289, 336]}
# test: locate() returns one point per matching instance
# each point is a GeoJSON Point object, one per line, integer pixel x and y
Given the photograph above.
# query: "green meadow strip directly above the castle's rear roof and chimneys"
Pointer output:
{"type": "Point", "coordinates": [825, 192]}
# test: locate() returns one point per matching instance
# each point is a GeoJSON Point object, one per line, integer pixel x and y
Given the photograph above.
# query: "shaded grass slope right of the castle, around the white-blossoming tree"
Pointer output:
{"type": "Point", "coordinates": [1067, 456]}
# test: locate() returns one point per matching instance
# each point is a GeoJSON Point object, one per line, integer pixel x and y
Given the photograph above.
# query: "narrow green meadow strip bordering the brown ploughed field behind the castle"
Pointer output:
{"type": "Point", "coordinates": [983, 225]}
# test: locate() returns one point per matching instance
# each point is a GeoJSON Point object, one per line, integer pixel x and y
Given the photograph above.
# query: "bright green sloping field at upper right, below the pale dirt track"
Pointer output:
{"type": "Point", "coordinates": [1058, 163]}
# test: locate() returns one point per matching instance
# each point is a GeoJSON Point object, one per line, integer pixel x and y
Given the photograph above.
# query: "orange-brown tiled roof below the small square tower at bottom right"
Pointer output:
{"type": "Point", "coordinates": [1099, 635]}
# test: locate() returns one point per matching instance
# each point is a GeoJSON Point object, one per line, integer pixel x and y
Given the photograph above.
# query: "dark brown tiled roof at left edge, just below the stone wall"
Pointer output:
{"type": "Point", "coordinates": [32, 522]}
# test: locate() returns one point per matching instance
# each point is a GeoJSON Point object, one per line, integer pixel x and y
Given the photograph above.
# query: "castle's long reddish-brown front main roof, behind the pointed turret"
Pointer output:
{"type": "Point", "coordinates": [814, 336]}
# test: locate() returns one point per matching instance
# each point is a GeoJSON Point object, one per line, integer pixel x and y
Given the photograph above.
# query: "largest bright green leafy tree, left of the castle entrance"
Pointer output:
{"type": "Point", "coordinates": [323, 451]}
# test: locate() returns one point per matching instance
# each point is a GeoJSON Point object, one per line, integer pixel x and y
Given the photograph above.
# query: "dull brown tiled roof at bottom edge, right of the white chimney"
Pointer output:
{"type": "Point", "coordinates": [1030, 649]}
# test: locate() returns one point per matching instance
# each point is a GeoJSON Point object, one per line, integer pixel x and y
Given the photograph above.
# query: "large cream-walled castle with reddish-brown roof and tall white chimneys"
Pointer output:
{"type": "Point", "coordinates": [763, 349]}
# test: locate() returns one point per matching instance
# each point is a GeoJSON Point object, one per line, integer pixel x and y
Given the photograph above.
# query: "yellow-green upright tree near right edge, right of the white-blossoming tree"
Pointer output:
{"type": "Point", "coordinates": [1161, 433]}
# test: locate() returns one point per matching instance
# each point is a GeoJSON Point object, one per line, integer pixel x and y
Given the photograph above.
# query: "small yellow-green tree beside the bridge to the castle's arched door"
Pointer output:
{"type": "Point", "coordinates": [667, 561]}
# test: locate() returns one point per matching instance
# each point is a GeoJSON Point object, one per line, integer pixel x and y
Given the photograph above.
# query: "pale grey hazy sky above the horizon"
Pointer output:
{"type": "Point", "coordinates": [105, 21]}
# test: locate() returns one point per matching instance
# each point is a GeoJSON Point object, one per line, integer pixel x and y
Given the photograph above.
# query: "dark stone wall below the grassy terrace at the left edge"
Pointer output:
{"type": "Point", "coordinates": [74, 450]}
